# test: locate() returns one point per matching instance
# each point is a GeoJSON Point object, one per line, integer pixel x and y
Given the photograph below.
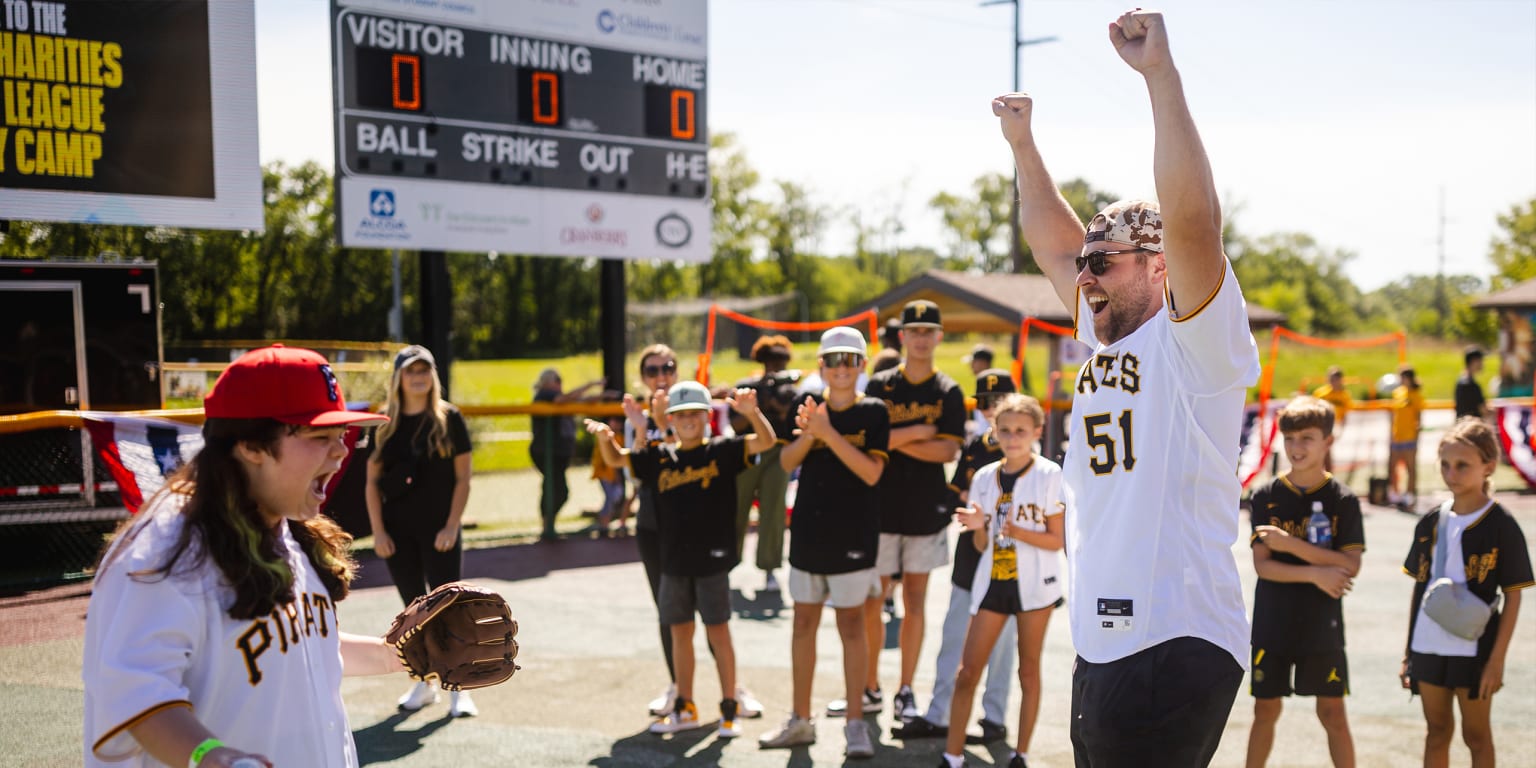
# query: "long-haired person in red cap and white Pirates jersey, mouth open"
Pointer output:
{"type": "Point", "coordinates": [211, 638]}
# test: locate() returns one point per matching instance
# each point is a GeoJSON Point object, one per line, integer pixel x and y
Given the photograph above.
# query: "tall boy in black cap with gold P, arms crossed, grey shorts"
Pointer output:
{"type": "Point", "coordinates": [927, 429]}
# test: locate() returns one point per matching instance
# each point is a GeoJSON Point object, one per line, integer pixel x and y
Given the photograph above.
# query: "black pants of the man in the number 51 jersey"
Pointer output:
{"type": "Point", "coordinates": [1165, 706]}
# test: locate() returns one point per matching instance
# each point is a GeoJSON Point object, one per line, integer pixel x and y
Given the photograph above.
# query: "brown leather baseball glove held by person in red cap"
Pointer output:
{"type": "Point", "coordinates": [460, 634]}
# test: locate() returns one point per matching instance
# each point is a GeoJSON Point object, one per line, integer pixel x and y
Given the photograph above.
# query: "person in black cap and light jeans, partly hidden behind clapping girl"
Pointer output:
{"type": "Point", "coordinates": [979, 451]}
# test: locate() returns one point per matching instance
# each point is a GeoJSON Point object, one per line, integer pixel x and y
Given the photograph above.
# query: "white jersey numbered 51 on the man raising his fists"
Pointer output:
{"type": "Point", "coordinates": [1151, 477]}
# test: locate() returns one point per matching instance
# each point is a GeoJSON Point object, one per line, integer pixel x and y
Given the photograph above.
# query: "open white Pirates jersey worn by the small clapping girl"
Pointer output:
{"type": "Point", "coordinates": [1036, 497]}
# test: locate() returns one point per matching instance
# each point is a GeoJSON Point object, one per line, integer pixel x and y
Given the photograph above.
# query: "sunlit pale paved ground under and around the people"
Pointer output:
{"type": "Point", "coordinates": [592, 660]}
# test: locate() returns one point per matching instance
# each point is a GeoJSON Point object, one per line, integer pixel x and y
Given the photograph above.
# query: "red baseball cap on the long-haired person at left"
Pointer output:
{"type": "Point", "coordinates": [286, 385]}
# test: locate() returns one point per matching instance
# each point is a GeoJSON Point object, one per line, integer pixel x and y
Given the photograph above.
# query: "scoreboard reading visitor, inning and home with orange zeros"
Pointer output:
{"type": "Point", "coordinates": [532, 127]}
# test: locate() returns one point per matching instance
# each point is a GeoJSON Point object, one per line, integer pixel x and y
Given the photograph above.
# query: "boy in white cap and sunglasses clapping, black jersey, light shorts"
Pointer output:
{"type": "Point", "coordinates": [835, 532]}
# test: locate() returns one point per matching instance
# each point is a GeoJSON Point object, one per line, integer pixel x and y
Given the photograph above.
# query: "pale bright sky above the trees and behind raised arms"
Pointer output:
{"type": "Point", "coordinates": [1342, 121]}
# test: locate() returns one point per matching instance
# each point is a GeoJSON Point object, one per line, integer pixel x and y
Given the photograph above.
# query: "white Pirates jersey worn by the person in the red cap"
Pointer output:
{"type": "Point", "coordinates": [268, 686]}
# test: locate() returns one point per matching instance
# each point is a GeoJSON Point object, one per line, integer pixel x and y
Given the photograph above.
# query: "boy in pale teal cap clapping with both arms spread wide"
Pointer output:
{"type": "Point", "coordinates": [697, 512]}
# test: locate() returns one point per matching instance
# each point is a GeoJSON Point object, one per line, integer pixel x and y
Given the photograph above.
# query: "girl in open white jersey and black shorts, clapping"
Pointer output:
{"type": "Point", "coordinates": [1016, 518]}
